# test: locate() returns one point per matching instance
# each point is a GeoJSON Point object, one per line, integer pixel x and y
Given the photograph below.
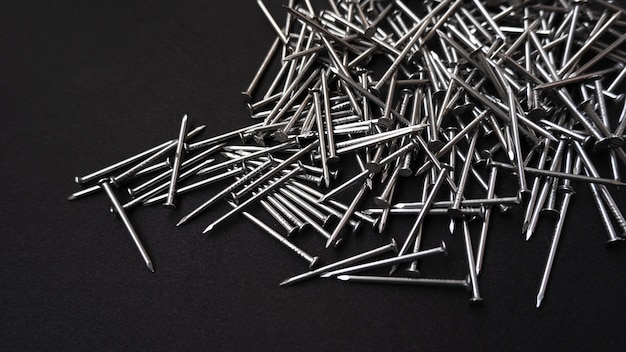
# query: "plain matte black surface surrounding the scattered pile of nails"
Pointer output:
{"type": "Point", "coordinates": [84, 85]}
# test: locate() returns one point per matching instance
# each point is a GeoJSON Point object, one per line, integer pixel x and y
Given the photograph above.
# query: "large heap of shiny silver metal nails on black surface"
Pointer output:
{"type": "Point", "coordinates": [474, 105]}
